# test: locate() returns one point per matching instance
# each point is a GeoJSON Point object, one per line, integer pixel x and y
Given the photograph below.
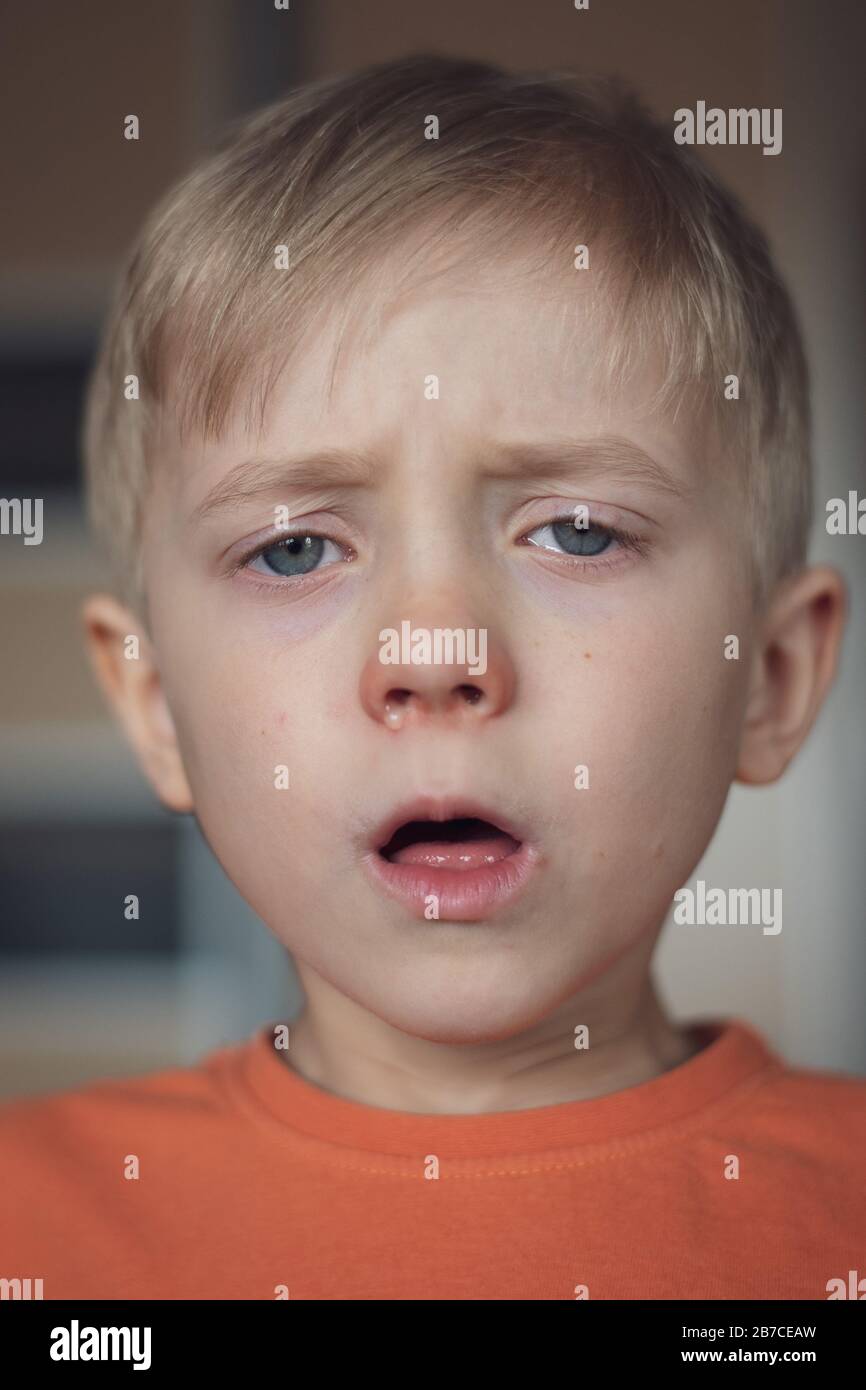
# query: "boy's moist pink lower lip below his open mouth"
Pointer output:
{"type": "Point", "coordinates": [458, 894]}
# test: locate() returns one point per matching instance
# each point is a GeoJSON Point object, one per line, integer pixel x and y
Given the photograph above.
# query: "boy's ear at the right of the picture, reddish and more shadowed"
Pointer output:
{"type": "Point", "coordinates": [793, 668]}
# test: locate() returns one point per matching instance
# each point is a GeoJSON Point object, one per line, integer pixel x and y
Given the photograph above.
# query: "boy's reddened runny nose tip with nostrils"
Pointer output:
{"type": "Point", "coordinates": [423, 673]}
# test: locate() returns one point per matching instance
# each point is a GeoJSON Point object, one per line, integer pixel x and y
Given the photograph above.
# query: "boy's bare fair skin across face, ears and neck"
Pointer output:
{"type": "Point", "coordinates": [619, 668]}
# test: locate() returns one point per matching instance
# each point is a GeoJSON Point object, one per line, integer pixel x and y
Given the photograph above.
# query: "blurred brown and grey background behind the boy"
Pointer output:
{"type": "Point", "coordinates": [85, 993]}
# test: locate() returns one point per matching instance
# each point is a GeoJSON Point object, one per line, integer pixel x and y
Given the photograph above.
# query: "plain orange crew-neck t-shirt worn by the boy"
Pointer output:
{"type": "Point", "coordinates": [254, 1184]}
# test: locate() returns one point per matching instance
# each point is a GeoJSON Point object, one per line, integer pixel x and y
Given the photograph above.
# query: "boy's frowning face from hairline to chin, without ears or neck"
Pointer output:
{"type": "Point", "coordinates": [612, 662]}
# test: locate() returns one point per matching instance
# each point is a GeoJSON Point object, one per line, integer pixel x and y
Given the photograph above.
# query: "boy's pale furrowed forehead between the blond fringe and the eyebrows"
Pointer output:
{"type": "Point", "coordinates": [464, 343]}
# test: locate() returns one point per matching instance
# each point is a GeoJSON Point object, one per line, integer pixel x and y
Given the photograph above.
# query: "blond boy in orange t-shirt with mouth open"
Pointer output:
{"type": "Point", "coordinates": [465, 583]}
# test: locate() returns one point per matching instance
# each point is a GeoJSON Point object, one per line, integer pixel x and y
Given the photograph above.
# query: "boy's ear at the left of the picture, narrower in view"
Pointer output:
{"type": "Point", "coordinates": [126, 667]}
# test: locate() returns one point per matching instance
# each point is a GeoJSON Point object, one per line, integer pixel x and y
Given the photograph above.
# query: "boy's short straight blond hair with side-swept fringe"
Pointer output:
{"type": "Point", "coordinates": [341, 170]}
